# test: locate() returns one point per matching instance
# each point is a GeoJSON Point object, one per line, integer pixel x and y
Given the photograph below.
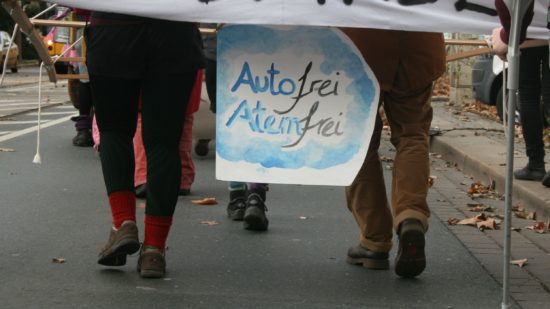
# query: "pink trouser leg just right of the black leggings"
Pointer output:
{"type": "Point", "coordinates": [187, 164]}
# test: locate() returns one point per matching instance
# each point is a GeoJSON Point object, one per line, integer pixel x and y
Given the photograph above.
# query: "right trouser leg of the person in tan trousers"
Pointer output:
{"type": "Point", "coordinates": [410, 114]}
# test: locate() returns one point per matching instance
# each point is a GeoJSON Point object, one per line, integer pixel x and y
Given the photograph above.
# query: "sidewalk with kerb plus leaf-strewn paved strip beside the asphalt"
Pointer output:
{"type": "Point", "coordinates": [475, 147]}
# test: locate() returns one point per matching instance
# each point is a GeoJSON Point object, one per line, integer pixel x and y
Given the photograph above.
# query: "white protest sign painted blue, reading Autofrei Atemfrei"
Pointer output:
{"type": "Point", "coordinates": [294, 105]}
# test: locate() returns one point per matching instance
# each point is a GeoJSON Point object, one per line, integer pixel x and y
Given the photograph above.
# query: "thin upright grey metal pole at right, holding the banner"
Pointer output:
{"type": "Point", "coordinates": [517, 9]}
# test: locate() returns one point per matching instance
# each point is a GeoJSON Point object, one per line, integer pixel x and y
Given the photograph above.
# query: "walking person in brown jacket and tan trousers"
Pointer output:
{"type": "Point", "coordinates": [406, 64]}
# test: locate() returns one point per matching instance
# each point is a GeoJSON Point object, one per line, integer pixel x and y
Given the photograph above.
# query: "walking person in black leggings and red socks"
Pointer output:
{"type": "Point", "coordinates": [127, 58]}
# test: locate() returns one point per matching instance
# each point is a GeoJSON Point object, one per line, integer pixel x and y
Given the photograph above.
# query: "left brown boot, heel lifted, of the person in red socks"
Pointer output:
{"type": "Point", "coordinates": [121, 243]}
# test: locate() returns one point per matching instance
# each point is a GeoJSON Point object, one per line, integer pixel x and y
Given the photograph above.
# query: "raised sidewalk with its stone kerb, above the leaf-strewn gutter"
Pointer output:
{"type": "Point", "coordinates": [478, 146]}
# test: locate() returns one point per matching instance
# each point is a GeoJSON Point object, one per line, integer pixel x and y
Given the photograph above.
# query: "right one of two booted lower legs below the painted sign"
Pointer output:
{"type": "Point", "coordinates": [254, 213]}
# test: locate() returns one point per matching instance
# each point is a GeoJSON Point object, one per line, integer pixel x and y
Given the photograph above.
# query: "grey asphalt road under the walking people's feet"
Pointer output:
{"type": "Point", "coordinates": [58, 209]}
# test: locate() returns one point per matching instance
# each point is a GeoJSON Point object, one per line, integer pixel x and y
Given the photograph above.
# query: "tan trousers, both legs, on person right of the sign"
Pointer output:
{"type": "Point", "coordinates": [409, 114]}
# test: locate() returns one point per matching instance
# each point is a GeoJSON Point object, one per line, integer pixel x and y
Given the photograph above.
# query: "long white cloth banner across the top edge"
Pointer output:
{"type": "Point", "coordinates": [465, 16]}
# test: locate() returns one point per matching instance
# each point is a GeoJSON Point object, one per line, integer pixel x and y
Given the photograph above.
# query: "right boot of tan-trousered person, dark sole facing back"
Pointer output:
{"type": "Point", "coordinates": [411, 259]}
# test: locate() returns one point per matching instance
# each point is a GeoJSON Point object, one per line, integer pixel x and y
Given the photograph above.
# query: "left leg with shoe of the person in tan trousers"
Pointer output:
{"type": "Point", "coordinates": [367, 201]}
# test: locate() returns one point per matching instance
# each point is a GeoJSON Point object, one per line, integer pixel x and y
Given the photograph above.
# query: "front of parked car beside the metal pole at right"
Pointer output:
{"type": "Point", "coordinates": [487, 76]}
